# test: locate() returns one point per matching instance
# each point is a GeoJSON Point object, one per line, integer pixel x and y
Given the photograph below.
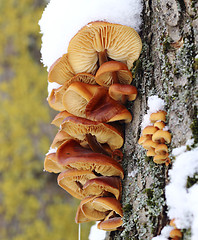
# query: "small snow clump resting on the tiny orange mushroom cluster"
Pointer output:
{"type": "Point", "coordinates": [155, 104]}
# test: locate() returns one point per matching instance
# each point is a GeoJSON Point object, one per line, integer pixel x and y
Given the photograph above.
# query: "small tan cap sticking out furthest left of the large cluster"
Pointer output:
{"type": "Point", "coordinates": [51, 164]}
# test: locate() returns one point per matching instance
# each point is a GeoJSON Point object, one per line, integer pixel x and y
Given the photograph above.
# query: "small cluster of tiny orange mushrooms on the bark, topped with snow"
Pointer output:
{"type": "Point", "coordinates": [155, 137]}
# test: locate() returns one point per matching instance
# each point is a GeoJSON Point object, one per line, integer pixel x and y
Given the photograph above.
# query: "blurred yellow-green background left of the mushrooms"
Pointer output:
{"type": "Point", "coordinates": [32, 205]}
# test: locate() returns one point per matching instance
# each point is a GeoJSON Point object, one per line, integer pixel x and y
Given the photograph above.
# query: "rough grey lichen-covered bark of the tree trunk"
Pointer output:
{"type": "Point", "coordinates": [167, 68]}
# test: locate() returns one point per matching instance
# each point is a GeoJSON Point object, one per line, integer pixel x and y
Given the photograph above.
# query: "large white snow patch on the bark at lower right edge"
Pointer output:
{"type": "Point", "coordinates": [182, 201]}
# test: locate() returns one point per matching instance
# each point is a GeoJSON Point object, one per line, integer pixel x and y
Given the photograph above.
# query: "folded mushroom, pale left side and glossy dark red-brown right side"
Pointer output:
{"type": "Point", "coordinates": [93, 102]}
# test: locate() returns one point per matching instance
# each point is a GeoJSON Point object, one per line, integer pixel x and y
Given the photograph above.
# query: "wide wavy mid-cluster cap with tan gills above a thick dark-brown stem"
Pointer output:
{"type": "Point", "coordinates": [105, 133]}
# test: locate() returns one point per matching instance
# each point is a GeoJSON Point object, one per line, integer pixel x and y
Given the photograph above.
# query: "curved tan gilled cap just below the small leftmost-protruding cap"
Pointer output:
{"type": "Point", "coordinates": [73, 180]}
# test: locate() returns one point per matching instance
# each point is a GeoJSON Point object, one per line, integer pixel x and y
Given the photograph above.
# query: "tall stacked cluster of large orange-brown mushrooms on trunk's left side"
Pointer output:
{"type": "Point", "coordinates": [94, 80]}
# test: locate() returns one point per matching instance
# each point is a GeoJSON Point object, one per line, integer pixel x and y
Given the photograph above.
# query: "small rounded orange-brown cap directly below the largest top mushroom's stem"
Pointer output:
{"type": "Point", "coordinates": [104, 75]}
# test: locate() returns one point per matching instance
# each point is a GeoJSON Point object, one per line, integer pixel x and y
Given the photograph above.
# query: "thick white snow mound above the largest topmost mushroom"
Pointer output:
{"type": "Point", "coordinates": [62, 19]}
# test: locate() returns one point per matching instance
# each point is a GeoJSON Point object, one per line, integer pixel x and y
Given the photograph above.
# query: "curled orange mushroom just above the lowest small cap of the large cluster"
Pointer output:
{"type": "Point", "coordinates": [94, 208]}
